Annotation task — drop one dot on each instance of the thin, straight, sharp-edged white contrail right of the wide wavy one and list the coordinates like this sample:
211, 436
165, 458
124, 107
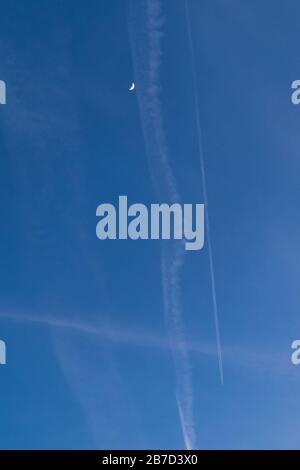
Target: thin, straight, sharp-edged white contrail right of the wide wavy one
203, 177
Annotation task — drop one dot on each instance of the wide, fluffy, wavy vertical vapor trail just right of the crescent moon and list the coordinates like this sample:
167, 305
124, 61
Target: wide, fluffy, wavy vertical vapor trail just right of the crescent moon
147, 61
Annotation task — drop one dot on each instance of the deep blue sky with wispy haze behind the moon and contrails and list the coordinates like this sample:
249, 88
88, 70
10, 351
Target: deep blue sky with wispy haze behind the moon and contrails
95, 358
